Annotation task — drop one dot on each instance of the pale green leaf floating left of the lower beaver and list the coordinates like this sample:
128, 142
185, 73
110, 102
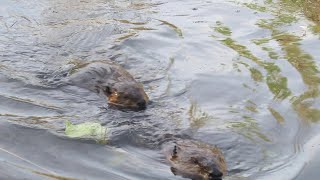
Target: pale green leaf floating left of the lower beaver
89, 130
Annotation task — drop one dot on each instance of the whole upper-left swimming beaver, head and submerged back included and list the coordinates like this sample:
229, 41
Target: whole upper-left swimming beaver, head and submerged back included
121, 89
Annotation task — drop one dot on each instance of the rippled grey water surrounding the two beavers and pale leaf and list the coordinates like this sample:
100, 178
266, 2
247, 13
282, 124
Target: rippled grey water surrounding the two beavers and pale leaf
240, 75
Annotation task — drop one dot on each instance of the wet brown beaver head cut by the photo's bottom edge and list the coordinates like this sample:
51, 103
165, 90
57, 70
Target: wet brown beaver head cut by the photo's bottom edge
195, 160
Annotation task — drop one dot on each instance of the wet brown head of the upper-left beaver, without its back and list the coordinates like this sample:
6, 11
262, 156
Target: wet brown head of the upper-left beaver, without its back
127, 95
